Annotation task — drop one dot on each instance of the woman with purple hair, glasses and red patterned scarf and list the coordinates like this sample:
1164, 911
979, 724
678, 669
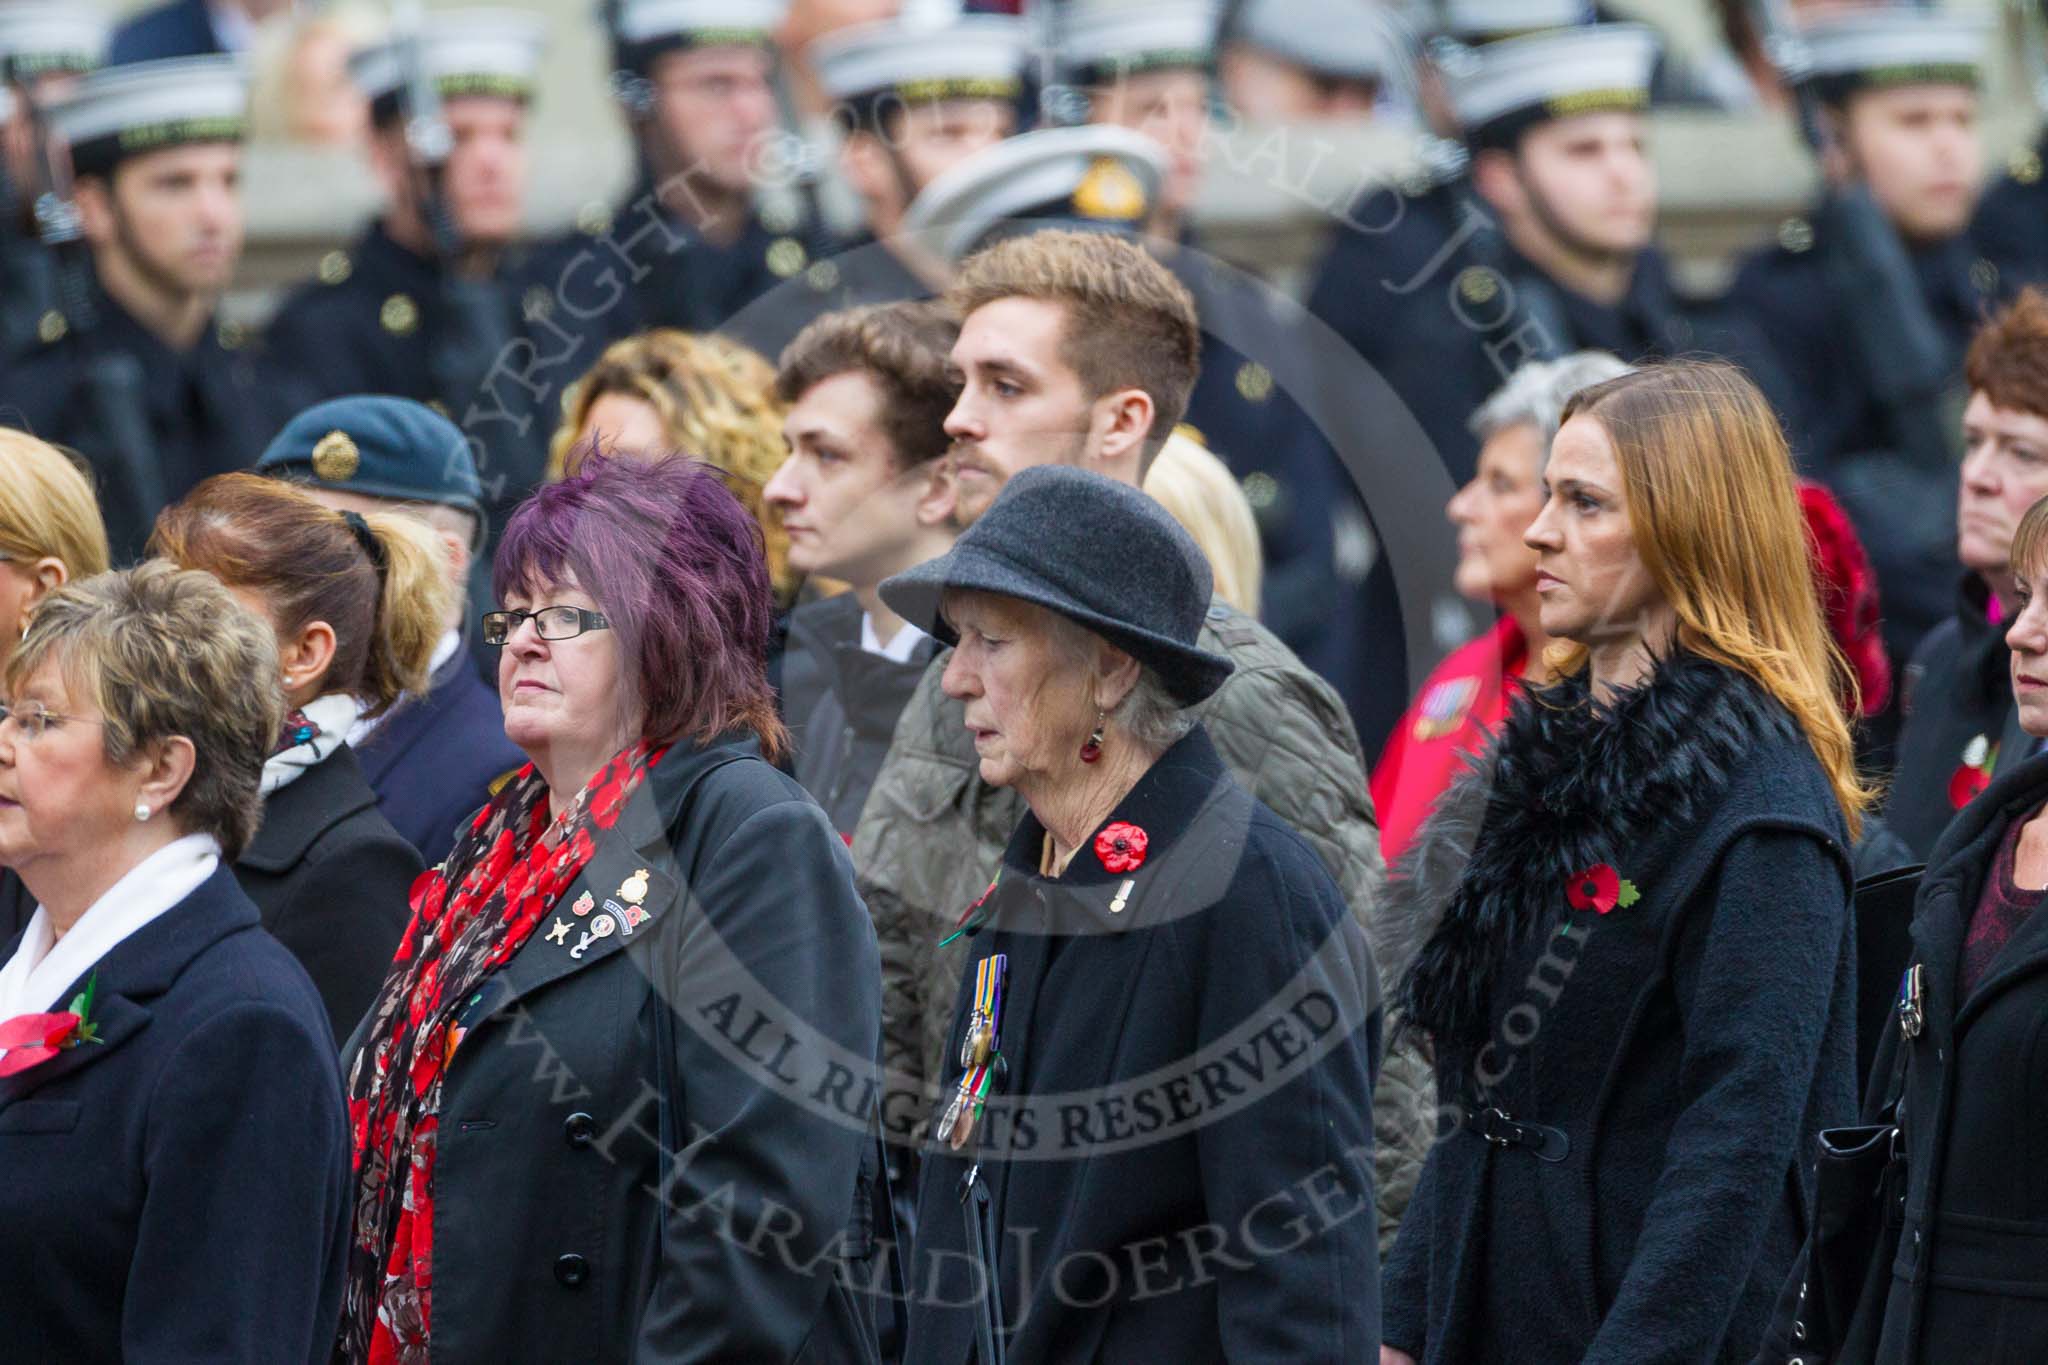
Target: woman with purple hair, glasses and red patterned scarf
615, 1096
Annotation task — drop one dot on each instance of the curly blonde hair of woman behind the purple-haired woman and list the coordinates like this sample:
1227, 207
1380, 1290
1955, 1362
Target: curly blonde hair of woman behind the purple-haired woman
673, 392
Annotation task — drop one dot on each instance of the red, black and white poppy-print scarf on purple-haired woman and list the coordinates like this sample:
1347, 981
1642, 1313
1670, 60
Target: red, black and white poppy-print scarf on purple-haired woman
468, 920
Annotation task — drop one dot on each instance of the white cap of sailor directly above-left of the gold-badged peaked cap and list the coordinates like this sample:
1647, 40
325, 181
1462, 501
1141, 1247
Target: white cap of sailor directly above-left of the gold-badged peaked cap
970, 56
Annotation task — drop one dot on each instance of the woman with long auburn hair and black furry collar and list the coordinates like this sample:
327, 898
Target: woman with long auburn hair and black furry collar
1637, 963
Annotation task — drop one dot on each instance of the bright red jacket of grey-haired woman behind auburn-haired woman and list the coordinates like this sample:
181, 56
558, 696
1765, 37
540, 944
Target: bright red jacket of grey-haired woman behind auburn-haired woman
1453, 715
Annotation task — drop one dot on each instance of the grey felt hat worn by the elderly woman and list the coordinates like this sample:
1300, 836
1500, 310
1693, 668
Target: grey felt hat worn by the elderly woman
1097, 552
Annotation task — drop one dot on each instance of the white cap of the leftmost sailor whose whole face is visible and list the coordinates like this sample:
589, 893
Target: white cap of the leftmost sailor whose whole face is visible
124, 112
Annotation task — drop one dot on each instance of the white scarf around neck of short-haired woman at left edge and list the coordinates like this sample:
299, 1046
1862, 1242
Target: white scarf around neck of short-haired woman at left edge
42, 969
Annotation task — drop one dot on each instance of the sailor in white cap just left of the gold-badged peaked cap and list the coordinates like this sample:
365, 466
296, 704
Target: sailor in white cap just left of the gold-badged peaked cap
912, 97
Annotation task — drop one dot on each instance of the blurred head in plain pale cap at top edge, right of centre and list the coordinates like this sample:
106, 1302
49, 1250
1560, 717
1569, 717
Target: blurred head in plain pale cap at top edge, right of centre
1308, 60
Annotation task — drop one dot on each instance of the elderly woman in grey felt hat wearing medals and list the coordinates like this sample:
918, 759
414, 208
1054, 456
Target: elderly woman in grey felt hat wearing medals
1156, 1133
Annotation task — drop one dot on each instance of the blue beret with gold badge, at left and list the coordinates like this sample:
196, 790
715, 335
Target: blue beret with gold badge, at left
380, 447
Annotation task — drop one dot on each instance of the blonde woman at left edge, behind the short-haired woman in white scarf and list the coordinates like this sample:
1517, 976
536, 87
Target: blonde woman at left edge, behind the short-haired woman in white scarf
50, 535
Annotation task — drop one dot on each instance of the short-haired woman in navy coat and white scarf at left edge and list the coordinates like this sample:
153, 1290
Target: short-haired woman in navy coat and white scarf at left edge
173, 1143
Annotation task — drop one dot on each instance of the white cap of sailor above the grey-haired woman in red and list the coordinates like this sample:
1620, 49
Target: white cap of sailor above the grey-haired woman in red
1506, 87
